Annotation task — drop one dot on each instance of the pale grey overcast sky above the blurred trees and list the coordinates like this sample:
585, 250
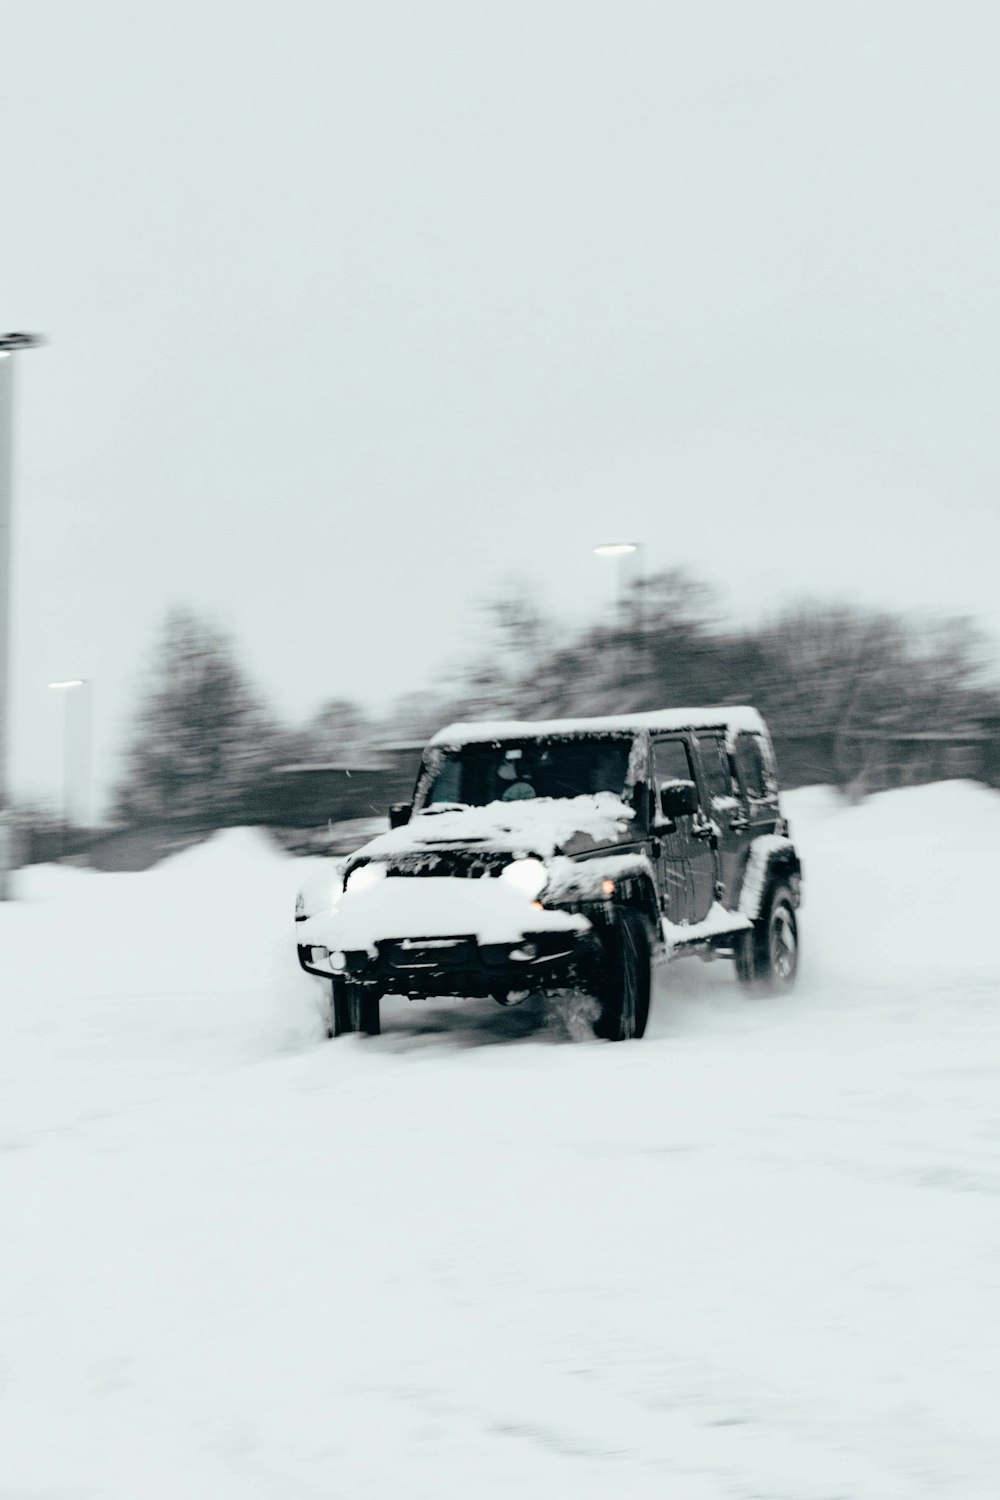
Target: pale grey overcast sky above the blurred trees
358, 310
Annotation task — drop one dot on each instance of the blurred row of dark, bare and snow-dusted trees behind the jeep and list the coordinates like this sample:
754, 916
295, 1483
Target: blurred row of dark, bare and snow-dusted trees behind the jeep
205, 745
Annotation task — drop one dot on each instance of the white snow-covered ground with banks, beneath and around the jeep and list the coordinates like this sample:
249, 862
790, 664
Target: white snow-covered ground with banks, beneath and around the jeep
756, 1255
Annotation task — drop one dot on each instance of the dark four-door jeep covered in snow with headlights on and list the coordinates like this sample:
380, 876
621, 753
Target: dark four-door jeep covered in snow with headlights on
566, 856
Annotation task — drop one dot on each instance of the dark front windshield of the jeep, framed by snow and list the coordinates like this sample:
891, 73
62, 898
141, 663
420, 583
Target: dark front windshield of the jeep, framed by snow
522, 770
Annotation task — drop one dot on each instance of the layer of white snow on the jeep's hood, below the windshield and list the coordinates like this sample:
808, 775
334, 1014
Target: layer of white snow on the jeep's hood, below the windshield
545, 826
